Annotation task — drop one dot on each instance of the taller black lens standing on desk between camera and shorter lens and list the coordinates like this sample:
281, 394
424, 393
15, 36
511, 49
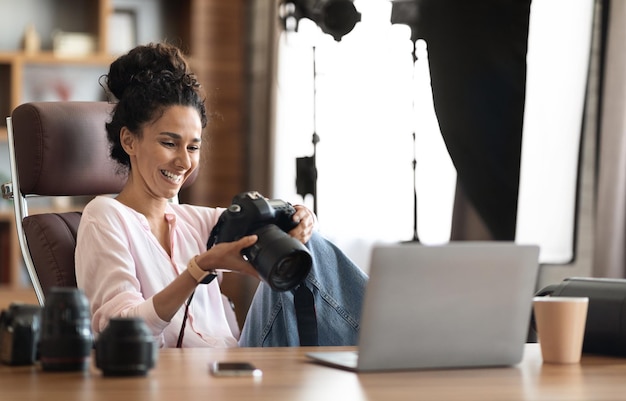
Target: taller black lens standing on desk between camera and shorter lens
66, 338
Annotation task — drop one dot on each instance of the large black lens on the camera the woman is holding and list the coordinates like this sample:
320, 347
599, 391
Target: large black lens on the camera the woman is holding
282, 261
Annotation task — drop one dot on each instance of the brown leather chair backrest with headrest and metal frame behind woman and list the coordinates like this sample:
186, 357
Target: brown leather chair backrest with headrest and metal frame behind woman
57, 149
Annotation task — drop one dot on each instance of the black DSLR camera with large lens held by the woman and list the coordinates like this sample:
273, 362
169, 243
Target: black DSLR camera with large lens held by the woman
281, 260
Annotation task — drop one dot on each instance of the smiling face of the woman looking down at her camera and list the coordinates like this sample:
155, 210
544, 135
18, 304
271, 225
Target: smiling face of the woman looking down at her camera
167, 152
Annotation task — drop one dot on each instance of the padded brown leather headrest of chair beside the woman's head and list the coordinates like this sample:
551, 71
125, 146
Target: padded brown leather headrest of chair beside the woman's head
62, 149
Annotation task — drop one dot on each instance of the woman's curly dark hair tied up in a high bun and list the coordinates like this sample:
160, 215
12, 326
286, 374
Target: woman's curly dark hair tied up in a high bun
146, 81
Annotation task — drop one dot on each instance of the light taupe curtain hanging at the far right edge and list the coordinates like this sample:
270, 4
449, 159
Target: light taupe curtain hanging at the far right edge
610, 217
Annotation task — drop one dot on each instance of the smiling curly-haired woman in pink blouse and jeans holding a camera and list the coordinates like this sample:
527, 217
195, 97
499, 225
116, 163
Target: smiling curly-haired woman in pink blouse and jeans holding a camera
140, 255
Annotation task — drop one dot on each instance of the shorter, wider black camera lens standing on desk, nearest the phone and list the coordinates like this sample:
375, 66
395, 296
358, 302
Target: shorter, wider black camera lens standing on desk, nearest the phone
126, 348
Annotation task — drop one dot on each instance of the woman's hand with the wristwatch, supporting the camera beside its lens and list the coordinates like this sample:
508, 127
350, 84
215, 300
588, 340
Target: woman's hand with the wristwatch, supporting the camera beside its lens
227, 256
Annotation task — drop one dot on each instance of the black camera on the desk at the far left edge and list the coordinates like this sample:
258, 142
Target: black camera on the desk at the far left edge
20, 328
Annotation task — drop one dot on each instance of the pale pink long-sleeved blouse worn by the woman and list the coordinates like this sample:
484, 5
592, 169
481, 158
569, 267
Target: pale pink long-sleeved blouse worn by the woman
120, 266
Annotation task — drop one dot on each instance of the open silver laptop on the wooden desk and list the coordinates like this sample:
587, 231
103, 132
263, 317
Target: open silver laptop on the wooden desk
459, 305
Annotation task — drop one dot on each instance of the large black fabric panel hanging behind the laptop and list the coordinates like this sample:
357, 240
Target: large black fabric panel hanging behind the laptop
477, 55
